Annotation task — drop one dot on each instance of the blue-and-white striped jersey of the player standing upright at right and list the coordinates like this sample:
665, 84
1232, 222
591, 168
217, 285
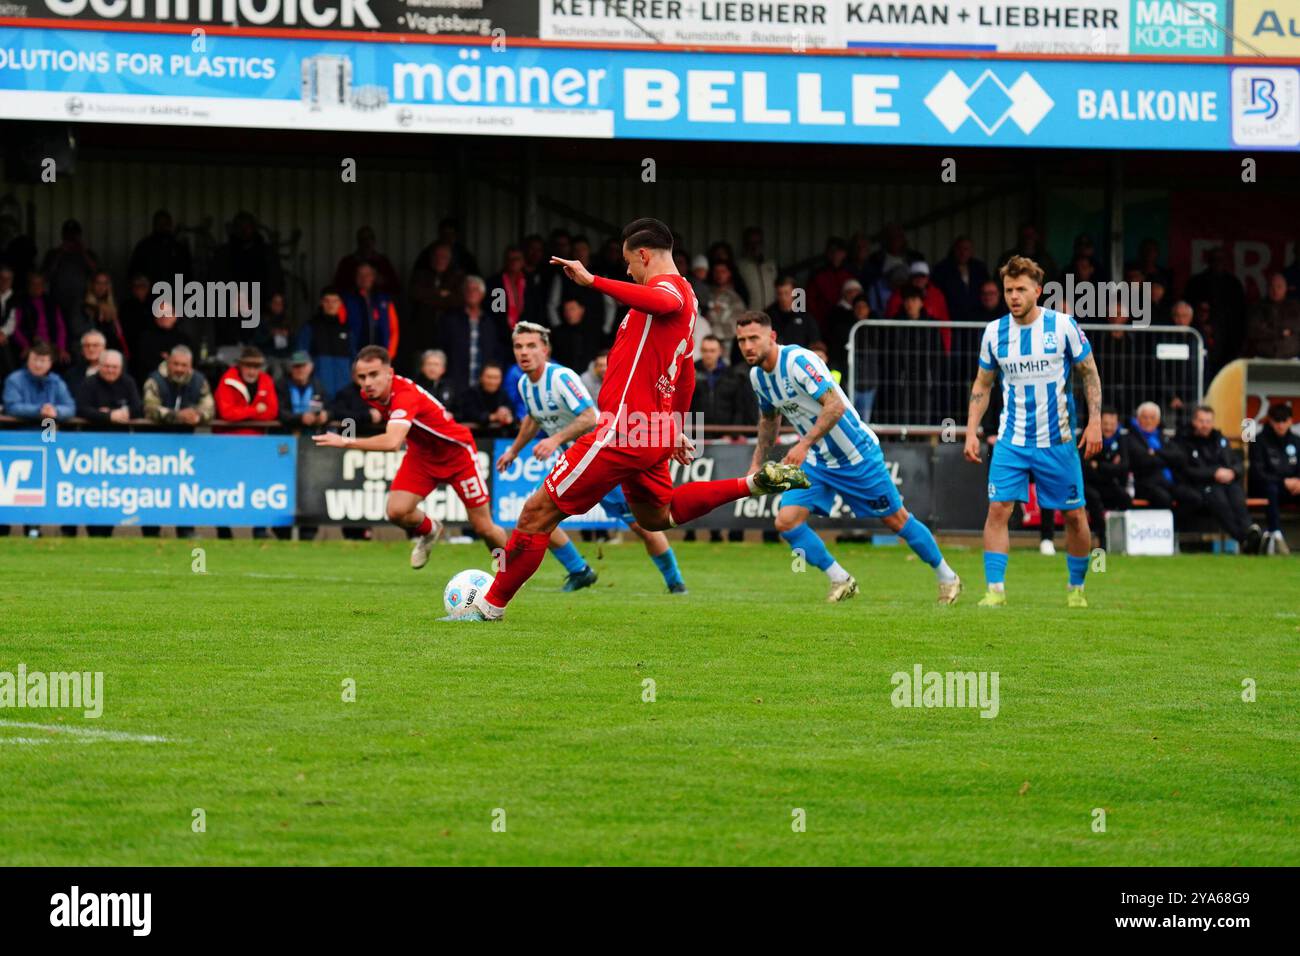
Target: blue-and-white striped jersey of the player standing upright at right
1035, 362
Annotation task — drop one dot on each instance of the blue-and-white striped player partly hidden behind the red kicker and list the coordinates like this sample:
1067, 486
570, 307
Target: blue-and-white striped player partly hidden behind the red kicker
561, 406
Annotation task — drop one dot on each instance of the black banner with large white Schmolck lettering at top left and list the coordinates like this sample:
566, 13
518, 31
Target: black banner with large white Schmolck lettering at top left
419, 18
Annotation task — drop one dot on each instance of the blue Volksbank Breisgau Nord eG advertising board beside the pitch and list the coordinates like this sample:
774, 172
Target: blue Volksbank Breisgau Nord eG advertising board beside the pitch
84, 478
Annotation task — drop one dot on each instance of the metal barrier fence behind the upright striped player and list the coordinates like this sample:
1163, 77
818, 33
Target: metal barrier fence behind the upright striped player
916, 375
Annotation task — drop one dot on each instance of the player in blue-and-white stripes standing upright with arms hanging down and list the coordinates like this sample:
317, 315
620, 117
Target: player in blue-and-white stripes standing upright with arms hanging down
1034, 349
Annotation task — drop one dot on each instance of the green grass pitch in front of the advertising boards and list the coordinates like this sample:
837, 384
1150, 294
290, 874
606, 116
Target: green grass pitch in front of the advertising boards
766, 702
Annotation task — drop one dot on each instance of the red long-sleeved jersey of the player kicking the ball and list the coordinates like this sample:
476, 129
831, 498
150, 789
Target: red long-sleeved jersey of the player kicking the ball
653, 348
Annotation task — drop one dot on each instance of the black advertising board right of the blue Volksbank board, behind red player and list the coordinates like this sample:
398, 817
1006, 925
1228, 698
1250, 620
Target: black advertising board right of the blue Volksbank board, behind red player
352, 487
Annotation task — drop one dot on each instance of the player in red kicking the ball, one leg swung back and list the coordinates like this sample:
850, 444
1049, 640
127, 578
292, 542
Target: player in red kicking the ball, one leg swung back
651, 377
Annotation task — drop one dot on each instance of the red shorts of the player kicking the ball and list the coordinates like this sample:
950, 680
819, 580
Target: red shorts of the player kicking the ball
592, 469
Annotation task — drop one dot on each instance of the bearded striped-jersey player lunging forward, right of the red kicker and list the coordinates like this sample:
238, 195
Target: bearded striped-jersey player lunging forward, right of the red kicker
837, 451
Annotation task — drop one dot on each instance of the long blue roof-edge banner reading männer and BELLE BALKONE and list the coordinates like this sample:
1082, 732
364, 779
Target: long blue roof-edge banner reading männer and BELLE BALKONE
294, 84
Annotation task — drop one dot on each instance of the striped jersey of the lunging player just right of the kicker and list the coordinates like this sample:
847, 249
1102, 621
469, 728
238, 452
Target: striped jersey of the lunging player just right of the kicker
795, 390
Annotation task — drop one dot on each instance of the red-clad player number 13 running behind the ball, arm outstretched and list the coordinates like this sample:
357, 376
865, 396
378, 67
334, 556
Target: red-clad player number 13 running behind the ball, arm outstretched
439, 451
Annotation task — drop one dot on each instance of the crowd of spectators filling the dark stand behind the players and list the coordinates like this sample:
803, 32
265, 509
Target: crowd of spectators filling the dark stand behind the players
71, 347
